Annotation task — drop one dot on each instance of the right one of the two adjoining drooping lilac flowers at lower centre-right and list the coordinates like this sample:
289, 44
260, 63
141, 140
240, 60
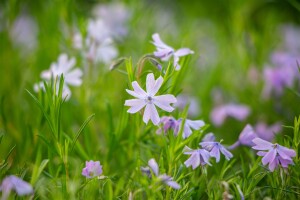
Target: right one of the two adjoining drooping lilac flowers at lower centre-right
214, 149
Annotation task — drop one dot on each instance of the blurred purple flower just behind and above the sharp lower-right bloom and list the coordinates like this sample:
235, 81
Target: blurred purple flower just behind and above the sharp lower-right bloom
266, 132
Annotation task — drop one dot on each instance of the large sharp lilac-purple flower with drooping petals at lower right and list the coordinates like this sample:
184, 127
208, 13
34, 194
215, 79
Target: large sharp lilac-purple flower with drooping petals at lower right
273, 154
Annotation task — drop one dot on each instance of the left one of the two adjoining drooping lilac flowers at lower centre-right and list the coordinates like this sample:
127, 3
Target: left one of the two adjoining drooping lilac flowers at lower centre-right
198, 157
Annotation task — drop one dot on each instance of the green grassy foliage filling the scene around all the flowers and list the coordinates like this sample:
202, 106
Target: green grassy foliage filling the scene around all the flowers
46, 140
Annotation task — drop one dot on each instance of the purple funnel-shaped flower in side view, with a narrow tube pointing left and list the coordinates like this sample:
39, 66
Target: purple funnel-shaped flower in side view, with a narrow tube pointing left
245, 138
